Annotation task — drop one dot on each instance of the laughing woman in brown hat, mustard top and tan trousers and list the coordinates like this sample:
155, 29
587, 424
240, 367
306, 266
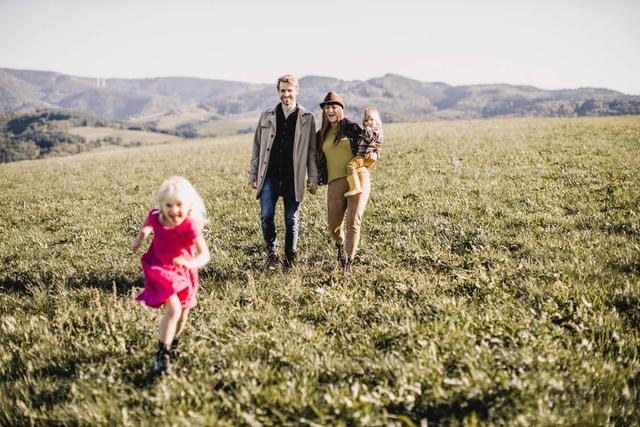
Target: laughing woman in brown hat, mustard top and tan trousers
338, 140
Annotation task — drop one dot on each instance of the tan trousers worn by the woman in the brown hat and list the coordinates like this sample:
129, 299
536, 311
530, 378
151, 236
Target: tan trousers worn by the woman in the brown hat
344, 214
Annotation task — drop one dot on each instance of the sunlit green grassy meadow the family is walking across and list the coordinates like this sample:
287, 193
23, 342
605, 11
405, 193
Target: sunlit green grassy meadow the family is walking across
497, 284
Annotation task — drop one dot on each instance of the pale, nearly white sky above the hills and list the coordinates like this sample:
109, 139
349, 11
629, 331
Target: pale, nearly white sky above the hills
550, 44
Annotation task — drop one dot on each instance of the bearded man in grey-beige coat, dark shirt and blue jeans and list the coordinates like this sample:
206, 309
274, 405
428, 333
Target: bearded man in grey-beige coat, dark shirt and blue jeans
284, 151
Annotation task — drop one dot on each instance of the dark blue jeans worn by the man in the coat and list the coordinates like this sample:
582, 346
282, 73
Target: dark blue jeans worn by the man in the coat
271, 191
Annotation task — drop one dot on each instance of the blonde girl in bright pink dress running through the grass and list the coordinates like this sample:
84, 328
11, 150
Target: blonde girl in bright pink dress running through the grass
171, 264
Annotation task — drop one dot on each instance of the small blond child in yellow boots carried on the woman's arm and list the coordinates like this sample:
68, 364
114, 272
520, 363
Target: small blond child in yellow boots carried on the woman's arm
368, 149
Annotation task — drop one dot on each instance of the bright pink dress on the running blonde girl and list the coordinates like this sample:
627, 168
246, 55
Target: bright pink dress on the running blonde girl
161, 278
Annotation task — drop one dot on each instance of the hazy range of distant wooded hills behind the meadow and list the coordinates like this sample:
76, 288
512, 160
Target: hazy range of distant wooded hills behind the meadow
175, 102
